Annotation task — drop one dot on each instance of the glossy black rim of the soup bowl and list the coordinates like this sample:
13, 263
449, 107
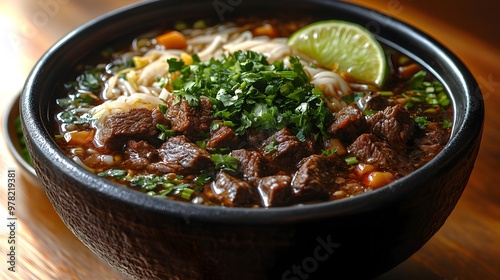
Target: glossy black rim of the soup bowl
473, 115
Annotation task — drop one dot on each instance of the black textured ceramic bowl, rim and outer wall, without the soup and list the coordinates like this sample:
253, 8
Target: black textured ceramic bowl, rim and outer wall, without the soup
147, 238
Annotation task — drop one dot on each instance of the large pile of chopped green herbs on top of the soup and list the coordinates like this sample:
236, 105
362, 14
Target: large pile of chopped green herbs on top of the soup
247, 91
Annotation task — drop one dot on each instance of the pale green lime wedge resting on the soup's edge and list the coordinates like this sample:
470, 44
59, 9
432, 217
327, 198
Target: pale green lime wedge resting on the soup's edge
344, 46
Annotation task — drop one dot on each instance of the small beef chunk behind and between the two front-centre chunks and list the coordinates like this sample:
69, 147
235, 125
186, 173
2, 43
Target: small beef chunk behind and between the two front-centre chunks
252, 164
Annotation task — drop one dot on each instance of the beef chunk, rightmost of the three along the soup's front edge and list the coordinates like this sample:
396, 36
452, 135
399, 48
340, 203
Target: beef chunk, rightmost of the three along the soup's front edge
315, 177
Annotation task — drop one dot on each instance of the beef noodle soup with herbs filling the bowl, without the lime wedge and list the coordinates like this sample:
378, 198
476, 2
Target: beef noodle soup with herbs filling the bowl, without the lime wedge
231, 115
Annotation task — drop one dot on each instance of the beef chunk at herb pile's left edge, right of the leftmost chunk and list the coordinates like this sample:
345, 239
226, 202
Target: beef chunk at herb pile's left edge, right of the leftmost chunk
190, 121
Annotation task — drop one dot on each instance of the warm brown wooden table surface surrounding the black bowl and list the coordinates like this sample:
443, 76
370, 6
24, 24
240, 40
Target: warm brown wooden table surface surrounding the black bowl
466, 247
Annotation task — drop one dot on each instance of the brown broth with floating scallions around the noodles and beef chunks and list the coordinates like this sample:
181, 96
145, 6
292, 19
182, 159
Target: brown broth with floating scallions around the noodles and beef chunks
432, 116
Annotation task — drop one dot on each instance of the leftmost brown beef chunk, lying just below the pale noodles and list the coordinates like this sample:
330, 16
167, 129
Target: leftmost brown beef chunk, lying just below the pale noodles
136, 124
